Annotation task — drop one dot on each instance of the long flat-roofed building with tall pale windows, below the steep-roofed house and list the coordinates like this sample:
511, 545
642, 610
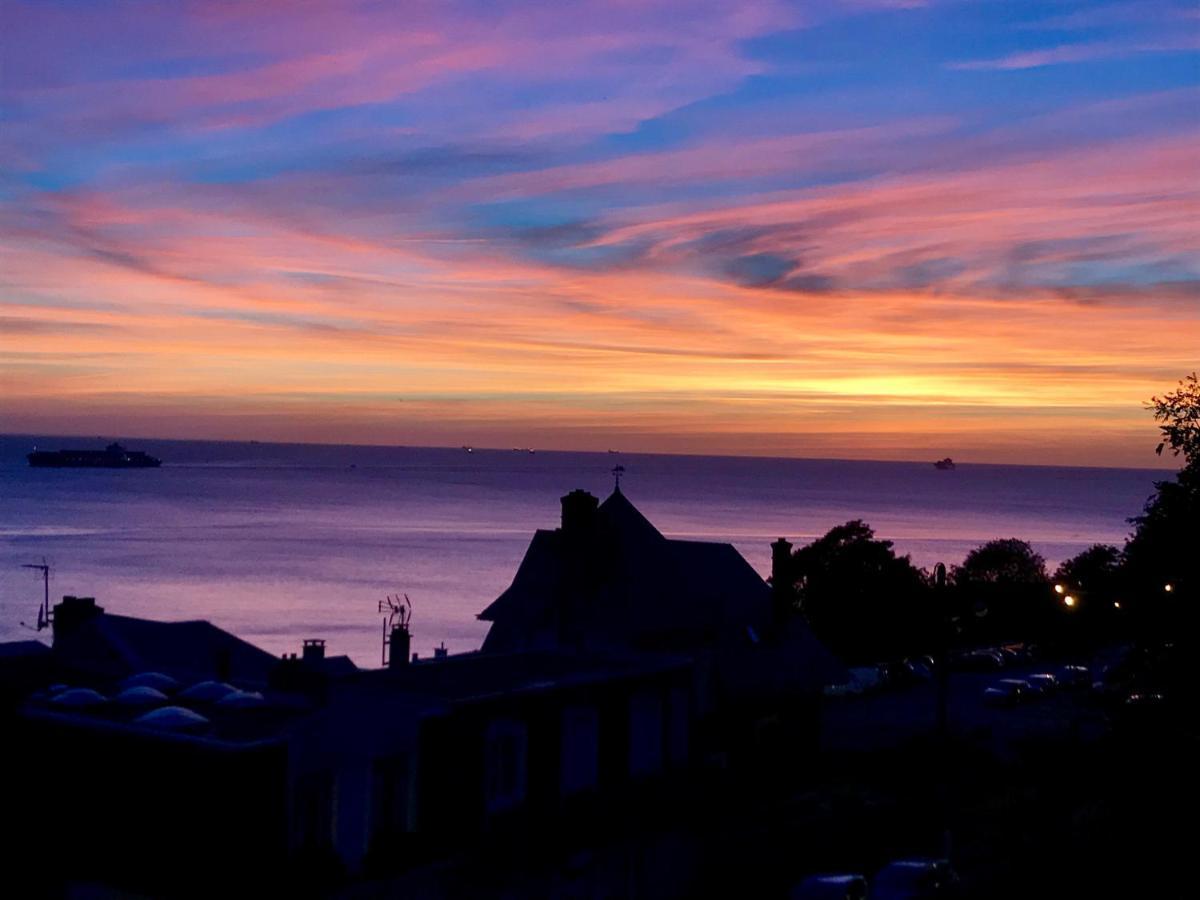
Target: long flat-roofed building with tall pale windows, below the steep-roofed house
535, 745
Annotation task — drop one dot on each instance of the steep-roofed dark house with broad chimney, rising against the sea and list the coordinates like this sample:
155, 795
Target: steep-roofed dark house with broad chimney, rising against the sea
609, 580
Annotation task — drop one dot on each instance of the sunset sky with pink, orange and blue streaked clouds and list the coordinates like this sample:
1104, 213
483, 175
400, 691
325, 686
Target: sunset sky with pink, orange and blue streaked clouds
890, 230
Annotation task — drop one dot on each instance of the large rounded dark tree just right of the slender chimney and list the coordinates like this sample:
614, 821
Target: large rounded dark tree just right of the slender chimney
863, 601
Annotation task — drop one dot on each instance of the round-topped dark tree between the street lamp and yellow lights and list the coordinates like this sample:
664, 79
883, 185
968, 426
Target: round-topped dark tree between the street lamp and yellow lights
1005, 583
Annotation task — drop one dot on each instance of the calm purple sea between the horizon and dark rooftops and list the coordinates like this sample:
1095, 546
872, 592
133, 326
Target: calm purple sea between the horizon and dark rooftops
279, 543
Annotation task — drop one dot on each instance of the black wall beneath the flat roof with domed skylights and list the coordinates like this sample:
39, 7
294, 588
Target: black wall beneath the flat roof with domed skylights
145, 813
